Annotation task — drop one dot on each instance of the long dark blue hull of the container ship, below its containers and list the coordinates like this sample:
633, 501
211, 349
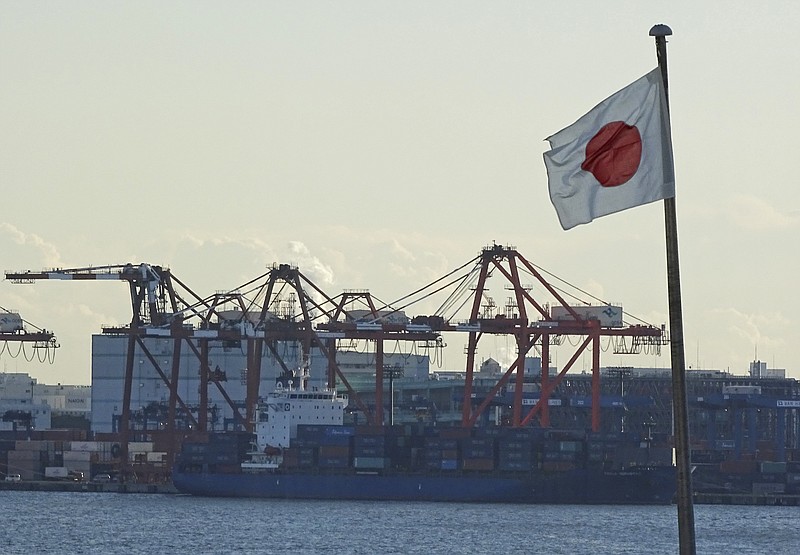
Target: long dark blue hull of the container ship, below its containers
581, 486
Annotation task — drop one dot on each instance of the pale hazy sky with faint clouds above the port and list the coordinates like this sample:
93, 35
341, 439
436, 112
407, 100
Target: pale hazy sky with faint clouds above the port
380, 145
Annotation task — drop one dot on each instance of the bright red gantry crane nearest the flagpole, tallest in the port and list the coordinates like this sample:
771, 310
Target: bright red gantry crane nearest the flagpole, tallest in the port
535, 323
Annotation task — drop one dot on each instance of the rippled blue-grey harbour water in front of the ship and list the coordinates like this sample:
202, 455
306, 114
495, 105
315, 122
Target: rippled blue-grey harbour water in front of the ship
66, 523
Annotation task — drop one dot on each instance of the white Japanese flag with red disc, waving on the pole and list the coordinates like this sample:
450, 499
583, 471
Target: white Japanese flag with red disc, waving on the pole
617, 156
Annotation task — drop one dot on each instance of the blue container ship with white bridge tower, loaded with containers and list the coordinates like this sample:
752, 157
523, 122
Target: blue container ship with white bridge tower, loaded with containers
302, 449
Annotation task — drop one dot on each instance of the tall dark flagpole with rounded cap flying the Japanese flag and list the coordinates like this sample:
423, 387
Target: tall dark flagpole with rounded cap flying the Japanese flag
679, 403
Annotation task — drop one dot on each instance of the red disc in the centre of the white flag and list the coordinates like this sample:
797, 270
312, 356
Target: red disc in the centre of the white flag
613, 154
